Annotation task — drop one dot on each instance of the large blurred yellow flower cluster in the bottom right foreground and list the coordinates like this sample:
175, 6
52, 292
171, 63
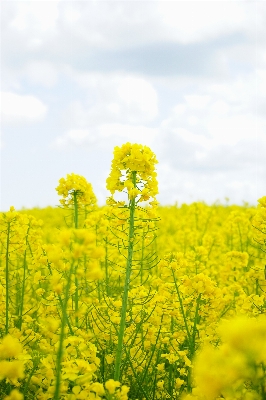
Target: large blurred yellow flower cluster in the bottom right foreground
235, 369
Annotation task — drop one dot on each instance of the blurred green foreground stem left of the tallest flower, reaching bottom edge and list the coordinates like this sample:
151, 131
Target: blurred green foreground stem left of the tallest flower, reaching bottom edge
61, 338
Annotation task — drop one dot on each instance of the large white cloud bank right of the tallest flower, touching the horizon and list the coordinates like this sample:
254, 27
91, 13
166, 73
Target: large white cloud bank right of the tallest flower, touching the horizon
215, 140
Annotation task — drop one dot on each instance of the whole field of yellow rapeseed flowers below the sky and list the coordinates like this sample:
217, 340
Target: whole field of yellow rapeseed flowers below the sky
132, 300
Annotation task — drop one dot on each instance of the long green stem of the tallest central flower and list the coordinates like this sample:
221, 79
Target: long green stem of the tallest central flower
126, 285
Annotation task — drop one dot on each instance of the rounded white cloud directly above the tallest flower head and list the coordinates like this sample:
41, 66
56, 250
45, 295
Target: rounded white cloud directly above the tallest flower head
120, 98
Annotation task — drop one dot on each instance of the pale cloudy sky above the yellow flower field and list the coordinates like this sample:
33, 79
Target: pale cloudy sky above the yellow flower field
186, 78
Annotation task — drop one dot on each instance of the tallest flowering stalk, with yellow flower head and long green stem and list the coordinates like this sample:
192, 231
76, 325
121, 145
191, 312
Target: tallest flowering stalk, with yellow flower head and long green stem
132, 172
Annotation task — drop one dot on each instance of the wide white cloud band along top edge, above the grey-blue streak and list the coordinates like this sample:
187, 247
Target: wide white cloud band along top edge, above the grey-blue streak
125, 25
